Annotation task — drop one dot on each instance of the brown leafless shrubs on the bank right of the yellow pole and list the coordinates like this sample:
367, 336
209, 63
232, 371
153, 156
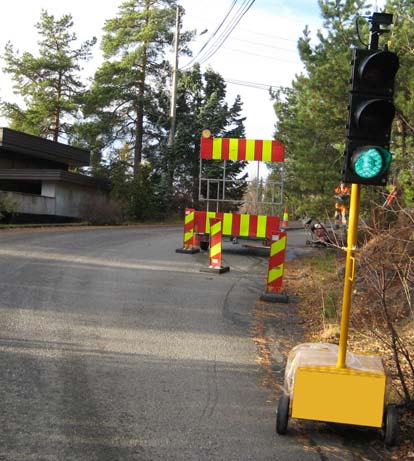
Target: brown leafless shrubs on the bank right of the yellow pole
386, 264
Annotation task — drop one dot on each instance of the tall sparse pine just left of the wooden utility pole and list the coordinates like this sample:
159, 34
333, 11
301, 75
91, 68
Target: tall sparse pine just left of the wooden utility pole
134, 44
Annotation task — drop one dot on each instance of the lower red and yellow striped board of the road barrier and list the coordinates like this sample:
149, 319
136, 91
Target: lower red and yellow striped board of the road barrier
239, 225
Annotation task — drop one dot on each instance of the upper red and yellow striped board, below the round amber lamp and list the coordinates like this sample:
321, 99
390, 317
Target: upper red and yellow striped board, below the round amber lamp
242, 149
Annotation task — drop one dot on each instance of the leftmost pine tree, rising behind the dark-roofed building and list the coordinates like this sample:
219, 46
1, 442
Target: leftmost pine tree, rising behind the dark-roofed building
49, 84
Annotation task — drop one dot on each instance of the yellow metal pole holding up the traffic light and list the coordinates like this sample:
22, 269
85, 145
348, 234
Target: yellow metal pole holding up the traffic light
349, 272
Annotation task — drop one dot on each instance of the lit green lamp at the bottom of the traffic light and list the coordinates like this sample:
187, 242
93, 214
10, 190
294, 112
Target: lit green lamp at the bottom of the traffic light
369, 162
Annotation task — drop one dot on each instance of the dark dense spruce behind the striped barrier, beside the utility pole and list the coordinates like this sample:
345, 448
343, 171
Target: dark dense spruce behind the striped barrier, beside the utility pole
201, 104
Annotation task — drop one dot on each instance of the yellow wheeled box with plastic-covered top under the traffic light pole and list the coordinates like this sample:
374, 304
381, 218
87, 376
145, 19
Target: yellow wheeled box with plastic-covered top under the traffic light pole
320, 391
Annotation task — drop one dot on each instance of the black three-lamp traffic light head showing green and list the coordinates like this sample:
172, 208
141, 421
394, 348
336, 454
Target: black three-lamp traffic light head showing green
371, 112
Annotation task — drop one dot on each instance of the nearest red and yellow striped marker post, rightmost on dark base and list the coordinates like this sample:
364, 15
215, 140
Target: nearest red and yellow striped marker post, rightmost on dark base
277, 256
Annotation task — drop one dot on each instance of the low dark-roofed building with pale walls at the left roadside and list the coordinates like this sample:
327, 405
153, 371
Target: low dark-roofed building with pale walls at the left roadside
34, 172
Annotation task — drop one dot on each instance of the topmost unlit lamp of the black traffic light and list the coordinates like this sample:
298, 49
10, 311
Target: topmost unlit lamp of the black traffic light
379, 69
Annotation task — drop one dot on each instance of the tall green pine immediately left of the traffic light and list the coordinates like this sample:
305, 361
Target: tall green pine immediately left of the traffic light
313, 113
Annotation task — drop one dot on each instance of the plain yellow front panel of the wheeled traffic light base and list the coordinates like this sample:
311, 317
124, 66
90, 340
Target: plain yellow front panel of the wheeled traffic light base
341, 395
